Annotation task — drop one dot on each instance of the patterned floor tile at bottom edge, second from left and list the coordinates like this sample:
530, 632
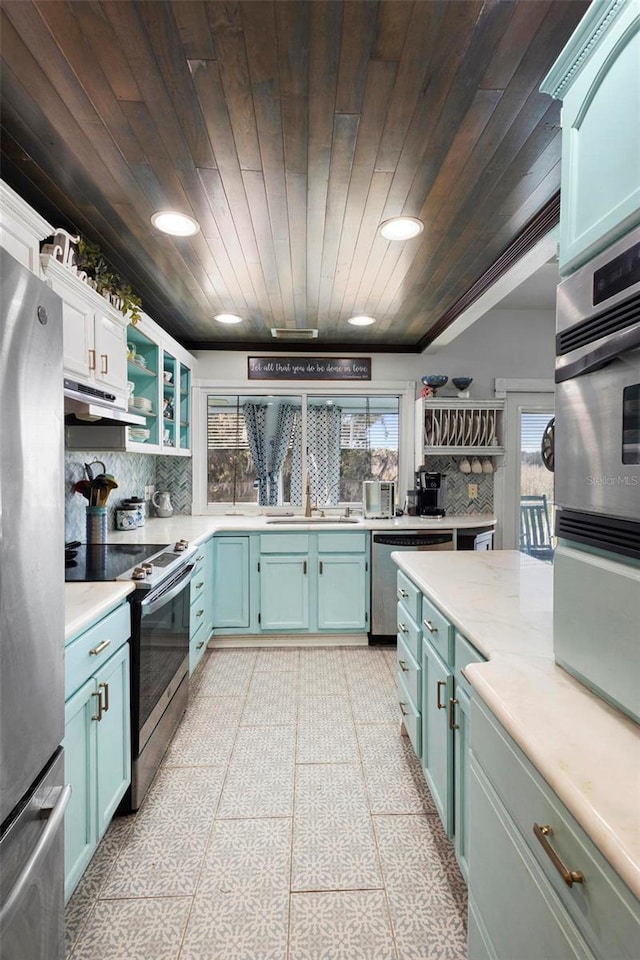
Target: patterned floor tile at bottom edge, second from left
227, 927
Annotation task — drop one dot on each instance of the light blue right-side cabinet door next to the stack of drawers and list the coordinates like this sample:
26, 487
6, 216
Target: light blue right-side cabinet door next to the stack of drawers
437, 737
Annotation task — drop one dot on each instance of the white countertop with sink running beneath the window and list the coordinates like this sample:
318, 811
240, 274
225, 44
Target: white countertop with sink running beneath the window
198, 528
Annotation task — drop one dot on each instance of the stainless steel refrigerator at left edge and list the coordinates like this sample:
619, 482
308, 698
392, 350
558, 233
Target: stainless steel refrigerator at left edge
32, 790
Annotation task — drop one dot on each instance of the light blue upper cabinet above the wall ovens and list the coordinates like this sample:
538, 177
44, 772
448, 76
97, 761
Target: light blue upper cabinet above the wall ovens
597, 77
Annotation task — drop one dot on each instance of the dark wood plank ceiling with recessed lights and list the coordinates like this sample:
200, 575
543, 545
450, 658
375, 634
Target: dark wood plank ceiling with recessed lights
289, 130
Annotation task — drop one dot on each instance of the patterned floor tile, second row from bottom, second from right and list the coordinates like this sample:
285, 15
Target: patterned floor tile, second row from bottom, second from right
334, 853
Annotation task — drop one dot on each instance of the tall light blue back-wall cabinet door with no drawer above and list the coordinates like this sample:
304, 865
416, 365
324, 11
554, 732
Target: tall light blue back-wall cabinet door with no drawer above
231, 582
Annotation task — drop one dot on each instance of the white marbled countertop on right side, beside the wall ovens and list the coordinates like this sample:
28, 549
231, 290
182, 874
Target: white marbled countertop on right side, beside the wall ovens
586, 750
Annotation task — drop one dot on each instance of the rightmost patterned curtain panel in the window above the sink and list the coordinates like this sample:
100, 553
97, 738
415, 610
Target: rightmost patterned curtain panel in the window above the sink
323, 440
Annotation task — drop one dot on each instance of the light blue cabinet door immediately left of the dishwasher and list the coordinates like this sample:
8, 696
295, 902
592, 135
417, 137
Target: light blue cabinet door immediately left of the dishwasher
342, 592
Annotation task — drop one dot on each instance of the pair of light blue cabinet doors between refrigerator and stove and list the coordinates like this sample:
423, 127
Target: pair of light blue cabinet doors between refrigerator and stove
97, 757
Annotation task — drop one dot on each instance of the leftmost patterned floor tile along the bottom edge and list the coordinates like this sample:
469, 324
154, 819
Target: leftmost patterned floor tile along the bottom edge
134, 930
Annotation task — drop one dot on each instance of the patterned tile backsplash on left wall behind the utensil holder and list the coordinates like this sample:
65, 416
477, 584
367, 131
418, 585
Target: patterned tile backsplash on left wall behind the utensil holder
133, 472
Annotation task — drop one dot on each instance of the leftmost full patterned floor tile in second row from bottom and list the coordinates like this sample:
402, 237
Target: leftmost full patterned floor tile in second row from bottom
158, 860
